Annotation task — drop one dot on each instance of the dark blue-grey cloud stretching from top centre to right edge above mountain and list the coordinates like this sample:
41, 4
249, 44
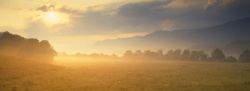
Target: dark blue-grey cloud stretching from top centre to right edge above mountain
217, 12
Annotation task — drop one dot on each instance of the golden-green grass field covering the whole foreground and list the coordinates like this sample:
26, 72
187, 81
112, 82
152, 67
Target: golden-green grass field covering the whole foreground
124, 75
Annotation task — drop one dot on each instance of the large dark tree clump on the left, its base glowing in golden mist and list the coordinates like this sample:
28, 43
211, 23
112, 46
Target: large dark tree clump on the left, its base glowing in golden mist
15, 45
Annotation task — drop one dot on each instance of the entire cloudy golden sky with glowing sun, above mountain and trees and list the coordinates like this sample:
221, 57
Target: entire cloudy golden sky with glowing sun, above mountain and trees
74, 25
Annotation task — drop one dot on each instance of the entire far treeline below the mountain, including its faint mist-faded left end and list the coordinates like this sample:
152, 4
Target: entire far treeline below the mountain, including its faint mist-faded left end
178, 54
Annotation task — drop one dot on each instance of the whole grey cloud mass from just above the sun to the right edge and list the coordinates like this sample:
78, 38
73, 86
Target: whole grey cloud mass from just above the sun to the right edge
152, 16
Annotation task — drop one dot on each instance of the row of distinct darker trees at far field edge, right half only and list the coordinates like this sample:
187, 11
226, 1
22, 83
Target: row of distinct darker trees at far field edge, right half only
178, 54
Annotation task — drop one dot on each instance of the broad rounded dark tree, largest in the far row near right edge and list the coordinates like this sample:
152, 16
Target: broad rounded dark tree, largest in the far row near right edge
218, 55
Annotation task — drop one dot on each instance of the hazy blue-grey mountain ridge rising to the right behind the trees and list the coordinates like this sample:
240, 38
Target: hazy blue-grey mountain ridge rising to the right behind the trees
202, 38
